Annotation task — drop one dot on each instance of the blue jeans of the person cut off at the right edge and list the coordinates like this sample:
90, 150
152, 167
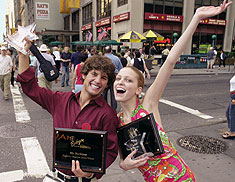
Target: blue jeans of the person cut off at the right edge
230, 114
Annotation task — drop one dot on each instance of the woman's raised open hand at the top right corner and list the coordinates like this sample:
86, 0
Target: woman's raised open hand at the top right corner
209, 11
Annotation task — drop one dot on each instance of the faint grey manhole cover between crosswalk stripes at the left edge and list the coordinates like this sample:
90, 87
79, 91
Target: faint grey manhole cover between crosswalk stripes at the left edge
16, 131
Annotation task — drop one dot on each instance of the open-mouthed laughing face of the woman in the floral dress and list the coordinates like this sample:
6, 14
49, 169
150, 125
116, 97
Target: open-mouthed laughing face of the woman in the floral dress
126, 85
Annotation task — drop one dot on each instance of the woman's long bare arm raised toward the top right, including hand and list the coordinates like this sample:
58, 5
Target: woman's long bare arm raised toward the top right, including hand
156, 89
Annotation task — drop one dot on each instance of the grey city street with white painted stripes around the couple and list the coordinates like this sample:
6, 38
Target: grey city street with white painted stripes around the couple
26, 130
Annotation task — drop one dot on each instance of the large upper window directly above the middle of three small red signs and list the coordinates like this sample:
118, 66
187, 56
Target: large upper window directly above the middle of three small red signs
103, 9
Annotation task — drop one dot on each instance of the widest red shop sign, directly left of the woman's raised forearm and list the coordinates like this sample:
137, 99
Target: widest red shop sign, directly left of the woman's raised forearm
163, 17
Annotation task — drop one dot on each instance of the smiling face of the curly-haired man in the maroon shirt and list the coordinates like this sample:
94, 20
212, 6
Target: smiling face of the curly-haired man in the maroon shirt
95, 82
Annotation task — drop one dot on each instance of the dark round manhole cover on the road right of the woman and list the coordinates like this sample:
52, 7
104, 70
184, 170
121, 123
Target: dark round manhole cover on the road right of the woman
202, 144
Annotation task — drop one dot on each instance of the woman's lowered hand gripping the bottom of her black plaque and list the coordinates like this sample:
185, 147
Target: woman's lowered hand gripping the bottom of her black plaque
129, 163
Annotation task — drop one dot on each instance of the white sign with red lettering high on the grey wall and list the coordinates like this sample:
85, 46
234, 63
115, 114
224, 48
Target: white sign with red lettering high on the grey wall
42, 11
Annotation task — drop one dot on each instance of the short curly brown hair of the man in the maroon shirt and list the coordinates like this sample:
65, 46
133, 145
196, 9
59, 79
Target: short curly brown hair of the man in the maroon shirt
100, 63
